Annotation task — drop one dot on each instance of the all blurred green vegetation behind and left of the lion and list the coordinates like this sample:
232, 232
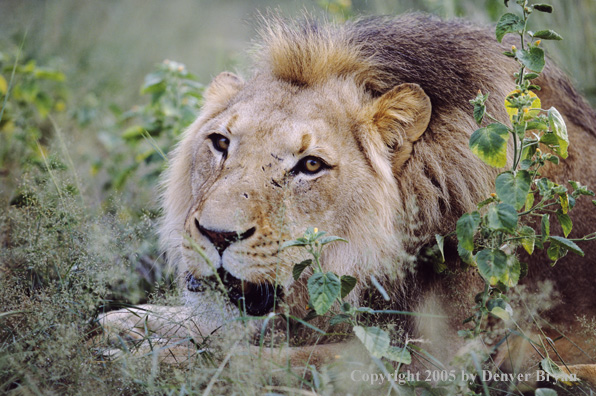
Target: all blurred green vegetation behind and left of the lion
78, 172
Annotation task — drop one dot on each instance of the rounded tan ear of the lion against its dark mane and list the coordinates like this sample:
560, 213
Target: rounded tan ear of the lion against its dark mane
401, 116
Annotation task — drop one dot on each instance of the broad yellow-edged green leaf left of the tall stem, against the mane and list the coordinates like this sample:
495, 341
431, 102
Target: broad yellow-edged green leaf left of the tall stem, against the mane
490, 144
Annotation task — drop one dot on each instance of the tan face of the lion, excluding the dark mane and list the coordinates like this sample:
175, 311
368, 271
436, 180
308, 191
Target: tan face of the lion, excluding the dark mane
267, 160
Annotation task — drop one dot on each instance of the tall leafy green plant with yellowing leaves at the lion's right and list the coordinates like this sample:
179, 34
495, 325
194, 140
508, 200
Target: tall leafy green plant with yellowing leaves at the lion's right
489, 237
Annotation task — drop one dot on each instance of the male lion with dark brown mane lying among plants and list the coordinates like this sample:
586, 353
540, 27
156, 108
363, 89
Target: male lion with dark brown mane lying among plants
362, 131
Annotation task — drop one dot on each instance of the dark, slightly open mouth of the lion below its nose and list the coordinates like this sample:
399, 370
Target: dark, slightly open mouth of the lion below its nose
254, 299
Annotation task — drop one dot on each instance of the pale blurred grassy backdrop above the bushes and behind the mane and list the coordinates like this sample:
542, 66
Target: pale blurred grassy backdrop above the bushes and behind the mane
108, 46
